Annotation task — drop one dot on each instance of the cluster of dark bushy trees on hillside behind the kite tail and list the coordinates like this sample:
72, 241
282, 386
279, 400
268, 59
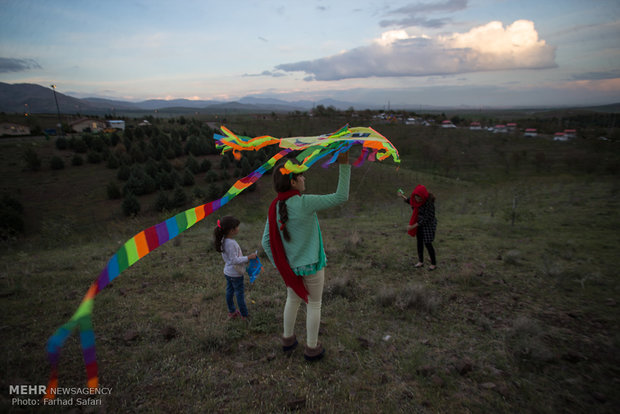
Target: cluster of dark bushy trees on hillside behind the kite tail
150, 159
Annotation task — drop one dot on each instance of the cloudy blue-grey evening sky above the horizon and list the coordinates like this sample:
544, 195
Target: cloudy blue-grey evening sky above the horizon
445, 52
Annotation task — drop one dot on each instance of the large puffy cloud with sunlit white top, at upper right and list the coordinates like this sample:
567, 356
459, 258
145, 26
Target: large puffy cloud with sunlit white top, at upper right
489, 47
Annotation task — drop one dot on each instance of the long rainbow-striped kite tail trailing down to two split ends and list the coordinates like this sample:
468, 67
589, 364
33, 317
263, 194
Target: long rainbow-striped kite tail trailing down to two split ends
133, 250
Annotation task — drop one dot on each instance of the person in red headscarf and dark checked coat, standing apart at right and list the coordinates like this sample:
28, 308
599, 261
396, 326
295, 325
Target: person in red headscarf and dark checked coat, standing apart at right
423, 223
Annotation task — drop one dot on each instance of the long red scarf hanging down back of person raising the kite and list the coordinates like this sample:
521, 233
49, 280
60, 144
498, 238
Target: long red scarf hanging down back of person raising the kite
277, 249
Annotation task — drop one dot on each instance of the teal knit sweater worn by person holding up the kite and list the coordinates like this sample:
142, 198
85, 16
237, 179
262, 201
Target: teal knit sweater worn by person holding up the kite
305, 252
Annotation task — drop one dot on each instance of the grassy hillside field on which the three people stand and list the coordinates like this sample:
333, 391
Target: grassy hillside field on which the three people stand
520, 316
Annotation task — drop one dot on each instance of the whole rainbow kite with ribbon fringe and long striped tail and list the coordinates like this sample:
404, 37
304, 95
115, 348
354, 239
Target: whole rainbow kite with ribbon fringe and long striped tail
374, 147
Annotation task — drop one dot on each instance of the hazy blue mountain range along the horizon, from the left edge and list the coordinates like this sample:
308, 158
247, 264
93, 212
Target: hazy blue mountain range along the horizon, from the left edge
32, 98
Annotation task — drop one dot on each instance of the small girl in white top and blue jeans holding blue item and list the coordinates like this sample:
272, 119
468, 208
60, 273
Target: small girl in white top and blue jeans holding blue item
223, 234
